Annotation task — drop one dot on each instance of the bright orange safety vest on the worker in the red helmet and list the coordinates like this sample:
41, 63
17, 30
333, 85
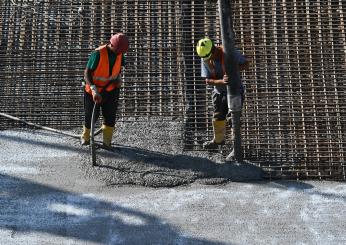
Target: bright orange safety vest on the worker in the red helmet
101, 74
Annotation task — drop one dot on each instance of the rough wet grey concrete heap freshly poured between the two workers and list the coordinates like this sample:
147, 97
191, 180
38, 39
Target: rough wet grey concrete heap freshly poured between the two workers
150, 154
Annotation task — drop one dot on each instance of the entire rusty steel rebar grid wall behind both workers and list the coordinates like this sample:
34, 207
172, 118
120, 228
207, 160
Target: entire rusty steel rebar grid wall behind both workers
294, 112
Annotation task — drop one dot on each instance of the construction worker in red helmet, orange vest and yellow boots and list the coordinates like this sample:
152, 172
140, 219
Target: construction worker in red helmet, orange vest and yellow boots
102, 77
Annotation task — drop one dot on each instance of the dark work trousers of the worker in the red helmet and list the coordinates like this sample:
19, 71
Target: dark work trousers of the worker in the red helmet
109, 106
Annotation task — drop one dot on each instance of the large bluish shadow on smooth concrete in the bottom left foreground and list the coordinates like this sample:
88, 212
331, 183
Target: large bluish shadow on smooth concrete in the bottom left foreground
28, 207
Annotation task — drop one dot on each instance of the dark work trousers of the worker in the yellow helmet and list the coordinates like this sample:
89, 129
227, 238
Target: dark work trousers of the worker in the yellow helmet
220, 106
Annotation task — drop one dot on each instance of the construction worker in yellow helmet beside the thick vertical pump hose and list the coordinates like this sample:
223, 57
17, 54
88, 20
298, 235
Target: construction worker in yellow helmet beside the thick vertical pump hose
212, 69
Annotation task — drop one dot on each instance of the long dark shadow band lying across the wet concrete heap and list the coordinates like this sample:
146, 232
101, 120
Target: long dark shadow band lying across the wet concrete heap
199, 166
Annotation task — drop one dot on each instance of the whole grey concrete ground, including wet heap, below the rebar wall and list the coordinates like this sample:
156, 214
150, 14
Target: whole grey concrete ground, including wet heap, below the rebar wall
147, 190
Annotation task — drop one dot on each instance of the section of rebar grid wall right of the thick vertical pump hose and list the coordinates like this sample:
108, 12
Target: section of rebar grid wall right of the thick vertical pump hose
295, 107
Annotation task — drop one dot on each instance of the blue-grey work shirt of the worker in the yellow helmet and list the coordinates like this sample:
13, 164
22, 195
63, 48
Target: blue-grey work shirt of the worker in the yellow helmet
207, 73
